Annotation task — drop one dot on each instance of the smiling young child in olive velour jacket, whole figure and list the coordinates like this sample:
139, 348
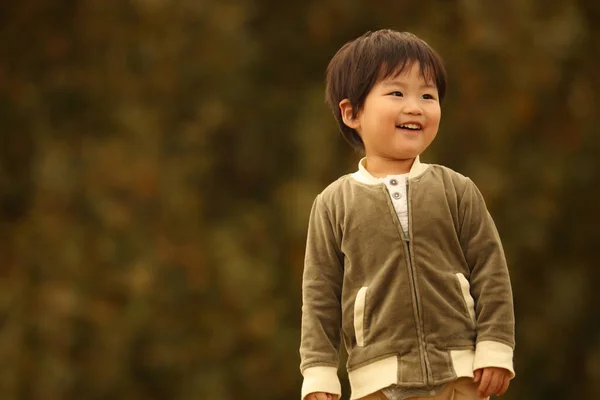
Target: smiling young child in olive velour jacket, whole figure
403, 261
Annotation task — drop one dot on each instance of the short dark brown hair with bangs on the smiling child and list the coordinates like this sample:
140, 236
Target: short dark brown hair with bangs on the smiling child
373, 57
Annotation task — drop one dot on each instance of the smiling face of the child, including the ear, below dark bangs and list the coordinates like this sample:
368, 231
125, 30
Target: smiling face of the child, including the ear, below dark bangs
400, 117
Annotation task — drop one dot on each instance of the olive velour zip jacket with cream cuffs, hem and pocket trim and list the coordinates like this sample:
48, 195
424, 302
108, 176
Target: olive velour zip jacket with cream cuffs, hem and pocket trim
414, 311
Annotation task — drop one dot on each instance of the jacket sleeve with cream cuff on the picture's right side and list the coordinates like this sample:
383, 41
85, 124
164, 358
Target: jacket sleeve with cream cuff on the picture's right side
490, 283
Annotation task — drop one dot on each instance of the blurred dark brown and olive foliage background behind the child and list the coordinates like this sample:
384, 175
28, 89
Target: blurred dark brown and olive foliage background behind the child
158, 161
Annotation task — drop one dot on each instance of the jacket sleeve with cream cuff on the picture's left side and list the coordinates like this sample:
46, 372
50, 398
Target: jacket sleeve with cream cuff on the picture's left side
321, 308
